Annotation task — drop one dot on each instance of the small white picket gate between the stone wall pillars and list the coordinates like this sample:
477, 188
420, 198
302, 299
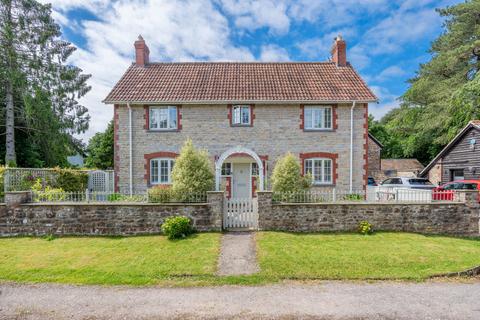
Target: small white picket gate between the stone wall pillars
240, 213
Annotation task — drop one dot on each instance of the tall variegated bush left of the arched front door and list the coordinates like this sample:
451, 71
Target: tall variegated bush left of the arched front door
192, 172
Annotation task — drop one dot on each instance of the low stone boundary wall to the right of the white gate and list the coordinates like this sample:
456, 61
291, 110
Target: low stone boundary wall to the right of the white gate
429, 218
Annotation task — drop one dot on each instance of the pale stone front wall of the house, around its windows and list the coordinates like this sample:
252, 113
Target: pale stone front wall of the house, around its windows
275, 131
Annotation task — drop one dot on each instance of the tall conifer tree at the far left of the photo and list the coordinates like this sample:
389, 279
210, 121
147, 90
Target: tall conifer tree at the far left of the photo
39, 89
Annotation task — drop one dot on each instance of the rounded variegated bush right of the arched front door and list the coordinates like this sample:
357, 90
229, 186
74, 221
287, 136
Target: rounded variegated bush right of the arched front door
287, 176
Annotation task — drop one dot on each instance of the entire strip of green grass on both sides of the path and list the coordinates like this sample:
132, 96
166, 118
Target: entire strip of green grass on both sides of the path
155, 260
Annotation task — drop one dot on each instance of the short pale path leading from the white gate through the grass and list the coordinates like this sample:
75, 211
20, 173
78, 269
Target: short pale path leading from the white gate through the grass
238, 254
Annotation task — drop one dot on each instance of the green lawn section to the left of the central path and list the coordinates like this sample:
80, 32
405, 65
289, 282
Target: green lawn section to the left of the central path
108, 260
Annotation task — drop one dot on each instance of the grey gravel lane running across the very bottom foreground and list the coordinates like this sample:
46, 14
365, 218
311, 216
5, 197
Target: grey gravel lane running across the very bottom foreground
323, 300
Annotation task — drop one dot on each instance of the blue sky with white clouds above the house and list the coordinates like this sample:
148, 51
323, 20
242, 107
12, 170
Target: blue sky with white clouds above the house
386, 39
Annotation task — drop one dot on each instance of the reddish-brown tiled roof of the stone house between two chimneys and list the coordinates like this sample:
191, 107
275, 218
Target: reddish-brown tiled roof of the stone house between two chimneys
240, 82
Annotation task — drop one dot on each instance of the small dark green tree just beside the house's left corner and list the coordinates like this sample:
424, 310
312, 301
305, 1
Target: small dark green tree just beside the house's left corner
100, 149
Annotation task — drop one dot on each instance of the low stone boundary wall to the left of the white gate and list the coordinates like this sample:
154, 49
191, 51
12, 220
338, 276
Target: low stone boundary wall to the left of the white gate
105, 219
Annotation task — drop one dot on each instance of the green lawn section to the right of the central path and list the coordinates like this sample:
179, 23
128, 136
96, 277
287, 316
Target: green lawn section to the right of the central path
352, 256
